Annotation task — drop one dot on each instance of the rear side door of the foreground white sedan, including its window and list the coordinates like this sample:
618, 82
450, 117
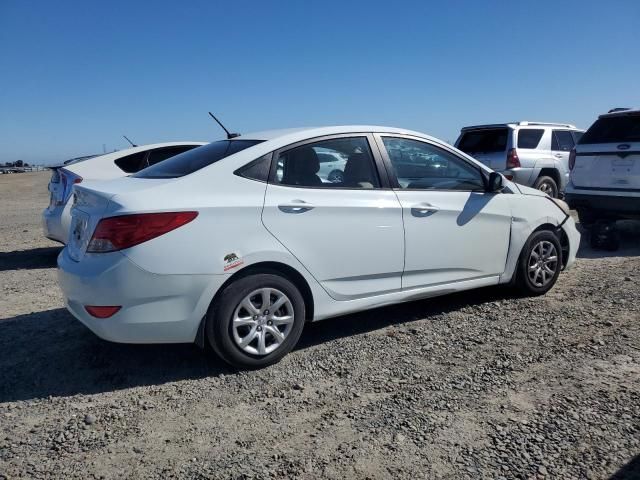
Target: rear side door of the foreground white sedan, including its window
349, 234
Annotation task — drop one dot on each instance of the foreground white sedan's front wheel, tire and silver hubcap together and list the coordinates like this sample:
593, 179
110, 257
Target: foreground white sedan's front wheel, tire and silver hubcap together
538, 282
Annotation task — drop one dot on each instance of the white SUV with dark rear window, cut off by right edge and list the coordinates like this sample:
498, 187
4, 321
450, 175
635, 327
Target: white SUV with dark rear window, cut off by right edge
605, 169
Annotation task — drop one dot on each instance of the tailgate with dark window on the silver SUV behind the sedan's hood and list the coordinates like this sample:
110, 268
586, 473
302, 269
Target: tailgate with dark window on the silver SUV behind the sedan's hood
487, 145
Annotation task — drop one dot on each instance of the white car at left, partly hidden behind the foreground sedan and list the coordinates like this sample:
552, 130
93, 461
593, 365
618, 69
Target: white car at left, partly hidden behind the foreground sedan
56, 217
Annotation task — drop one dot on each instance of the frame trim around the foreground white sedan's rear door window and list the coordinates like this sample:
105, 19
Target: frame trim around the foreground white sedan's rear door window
379, 166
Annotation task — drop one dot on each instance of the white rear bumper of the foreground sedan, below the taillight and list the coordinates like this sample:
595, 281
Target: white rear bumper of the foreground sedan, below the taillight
154, 308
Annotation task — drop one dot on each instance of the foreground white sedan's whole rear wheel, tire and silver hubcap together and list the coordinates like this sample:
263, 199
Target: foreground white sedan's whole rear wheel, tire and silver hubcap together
231, 321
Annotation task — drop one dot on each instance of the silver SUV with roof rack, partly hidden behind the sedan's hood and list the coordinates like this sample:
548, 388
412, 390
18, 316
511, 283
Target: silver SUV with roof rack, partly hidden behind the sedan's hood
534, 154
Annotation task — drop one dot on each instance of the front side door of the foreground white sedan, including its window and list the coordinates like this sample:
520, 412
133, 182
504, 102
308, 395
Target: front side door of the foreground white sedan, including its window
454, 229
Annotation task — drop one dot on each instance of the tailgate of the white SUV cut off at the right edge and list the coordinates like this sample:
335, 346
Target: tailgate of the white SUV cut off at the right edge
608, 155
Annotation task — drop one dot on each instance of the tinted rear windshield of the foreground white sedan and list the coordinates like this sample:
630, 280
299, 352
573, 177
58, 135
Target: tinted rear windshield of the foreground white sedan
193, 160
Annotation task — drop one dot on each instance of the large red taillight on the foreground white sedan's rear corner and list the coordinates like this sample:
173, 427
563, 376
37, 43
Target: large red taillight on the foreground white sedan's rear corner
117, 233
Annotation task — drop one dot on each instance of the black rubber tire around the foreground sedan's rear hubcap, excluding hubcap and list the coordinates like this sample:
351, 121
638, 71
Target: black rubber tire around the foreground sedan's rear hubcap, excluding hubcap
219, 317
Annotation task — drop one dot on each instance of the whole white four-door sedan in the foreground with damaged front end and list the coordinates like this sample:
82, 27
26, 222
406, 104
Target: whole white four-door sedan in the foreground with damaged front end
239, 243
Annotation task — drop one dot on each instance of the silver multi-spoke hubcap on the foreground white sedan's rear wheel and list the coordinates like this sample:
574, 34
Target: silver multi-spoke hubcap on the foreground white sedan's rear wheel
262, 321
